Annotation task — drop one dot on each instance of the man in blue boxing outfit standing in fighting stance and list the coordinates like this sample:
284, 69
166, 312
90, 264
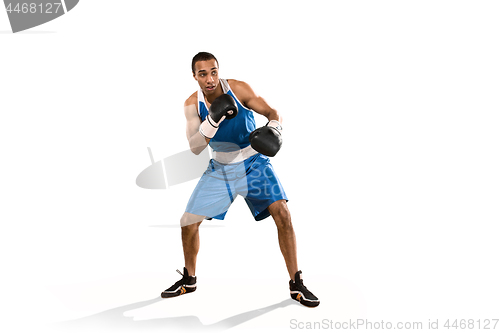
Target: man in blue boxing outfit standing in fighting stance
220, 113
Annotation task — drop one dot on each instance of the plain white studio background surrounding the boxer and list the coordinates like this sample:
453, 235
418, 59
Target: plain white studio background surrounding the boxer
390, 161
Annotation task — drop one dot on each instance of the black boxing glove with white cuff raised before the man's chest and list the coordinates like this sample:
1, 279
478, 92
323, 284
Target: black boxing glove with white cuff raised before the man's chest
223, 107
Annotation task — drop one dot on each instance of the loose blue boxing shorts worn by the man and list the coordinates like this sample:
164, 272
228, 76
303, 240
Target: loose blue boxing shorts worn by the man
254, 179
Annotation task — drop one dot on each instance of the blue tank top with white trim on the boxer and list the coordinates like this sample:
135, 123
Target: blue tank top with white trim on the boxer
232, 133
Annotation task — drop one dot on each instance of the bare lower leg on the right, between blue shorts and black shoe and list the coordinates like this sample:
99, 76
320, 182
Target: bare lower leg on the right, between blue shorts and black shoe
286, 235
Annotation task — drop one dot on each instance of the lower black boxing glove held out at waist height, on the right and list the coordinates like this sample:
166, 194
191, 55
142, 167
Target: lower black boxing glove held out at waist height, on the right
267, 139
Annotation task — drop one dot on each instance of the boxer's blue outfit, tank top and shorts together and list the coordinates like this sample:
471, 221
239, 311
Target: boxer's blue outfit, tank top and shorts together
229, 175
